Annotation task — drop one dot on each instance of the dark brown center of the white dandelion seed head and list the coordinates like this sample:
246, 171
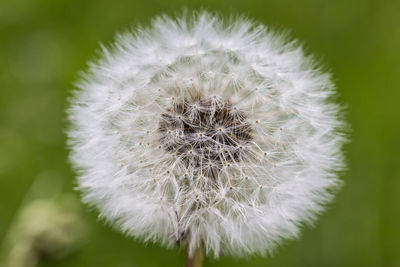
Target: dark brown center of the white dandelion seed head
205, 131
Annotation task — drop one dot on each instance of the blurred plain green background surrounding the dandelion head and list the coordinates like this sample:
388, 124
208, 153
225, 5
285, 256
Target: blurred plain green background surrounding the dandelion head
45, 43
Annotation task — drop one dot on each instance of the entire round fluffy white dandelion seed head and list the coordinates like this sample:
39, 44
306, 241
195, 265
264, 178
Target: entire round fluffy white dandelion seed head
216, 134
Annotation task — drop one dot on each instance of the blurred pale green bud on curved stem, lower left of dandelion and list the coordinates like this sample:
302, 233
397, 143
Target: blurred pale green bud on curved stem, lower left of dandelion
44, 229
